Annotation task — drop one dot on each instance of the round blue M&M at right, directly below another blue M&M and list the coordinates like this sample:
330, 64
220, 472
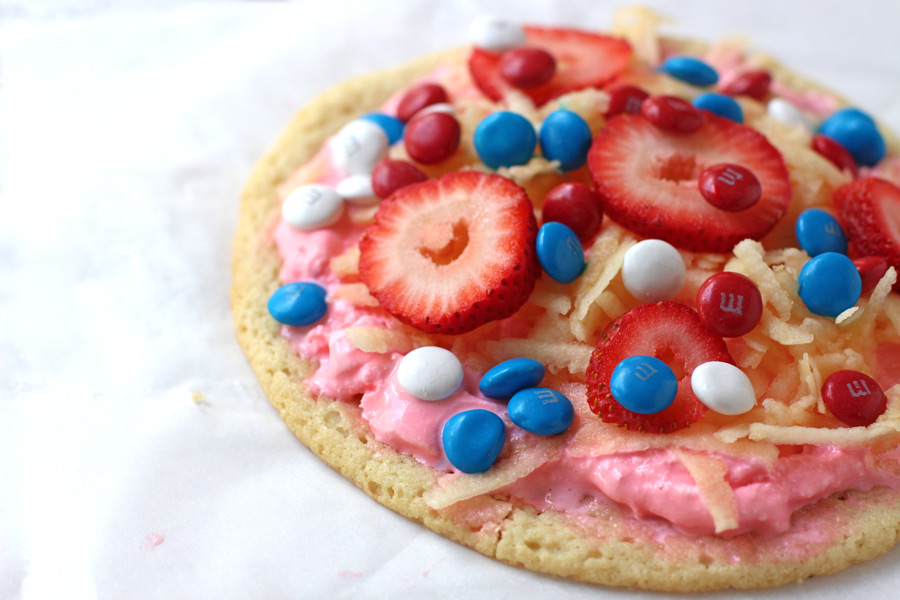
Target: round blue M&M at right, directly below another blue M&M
829, 284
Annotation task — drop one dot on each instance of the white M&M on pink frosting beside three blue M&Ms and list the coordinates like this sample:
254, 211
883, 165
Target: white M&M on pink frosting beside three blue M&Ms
430, 373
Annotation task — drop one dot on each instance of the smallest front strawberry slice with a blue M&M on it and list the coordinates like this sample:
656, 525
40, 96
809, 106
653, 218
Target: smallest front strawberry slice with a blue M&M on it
673, 333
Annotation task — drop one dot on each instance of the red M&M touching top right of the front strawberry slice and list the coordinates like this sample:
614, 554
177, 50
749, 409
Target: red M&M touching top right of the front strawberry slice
729, 304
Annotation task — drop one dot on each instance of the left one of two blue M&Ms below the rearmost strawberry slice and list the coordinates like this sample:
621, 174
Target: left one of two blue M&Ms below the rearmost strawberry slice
505, 139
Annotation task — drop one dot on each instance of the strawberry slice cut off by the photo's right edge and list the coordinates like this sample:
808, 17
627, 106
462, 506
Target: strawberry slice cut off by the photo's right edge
869, 210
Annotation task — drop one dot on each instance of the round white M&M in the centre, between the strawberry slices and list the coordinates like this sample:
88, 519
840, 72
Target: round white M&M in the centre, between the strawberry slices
653, 271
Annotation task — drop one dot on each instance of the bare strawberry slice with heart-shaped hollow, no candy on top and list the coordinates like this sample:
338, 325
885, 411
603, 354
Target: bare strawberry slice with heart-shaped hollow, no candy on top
451, 254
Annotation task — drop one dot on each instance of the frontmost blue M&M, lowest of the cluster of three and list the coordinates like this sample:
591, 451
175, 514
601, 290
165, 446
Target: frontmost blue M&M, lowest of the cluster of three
473, 439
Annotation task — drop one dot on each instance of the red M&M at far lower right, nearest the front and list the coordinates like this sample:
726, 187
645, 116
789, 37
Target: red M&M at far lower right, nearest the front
853, 397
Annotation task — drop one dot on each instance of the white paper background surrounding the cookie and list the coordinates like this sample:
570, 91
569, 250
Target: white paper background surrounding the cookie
127, 129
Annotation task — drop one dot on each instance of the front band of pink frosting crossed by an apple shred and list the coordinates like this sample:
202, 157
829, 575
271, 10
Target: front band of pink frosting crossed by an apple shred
655, 483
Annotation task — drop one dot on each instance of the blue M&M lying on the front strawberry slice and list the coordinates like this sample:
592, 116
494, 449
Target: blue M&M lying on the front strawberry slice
643, 384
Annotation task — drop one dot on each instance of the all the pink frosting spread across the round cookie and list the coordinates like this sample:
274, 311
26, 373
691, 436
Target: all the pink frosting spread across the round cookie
652, 483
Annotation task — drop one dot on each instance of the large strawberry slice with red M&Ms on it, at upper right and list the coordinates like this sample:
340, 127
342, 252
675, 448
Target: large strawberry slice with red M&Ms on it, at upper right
647, 178
